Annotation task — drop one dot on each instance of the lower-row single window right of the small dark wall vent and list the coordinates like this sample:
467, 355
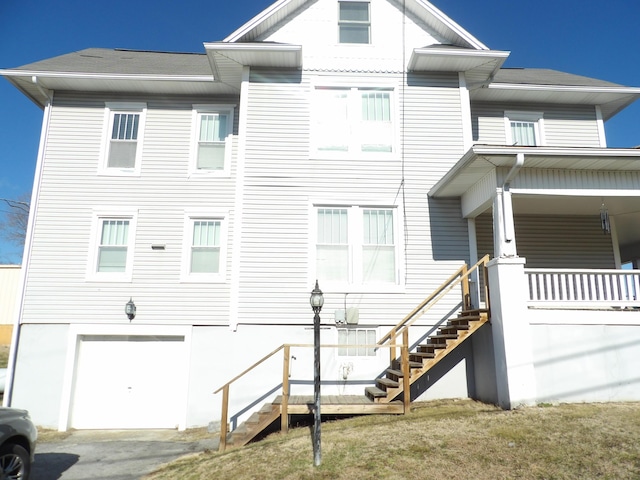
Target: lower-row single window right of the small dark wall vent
204, 248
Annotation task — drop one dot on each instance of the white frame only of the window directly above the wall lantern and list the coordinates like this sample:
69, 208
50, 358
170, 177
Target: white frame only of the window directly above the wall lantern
99, 216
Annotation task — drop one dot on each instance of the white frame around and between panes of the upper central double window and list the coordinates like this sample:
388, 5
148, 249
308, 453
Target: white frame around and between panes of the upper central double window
355, 127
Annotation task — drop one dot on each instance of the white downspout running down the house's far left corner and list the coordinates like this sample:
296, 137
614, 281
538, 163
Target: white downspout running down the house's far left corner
26, 255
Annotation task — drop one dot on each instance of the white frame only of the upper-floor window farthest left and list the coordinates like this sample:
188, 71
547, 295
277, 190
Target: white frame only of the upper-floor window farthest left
111, 109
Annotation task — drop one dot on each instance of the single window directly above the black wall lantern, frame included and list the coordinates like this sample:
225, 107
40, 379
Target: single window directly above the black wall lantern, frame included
112, 257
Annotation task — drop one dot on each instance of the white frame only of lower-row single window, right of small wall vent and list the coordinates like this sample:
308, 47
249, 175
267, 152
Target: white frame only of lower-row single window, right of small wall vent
192, 216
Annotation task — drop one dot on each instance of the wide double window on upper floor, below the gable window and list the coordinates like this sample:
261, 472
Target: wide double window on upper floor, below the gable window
354, 120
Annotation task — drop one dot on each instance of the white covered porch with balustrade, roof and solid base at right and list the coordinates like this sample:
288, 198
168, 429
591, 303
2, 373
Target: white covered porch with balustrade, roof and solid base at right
563, 228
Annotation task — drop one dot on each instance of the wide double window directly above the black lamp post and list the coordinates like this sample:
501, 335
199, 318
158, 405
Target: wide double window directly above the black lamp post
356, 246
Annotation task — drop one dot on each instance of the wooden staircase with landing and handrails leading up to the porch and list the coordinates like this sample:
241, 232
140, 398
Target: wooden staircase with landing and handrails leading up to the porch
392, 391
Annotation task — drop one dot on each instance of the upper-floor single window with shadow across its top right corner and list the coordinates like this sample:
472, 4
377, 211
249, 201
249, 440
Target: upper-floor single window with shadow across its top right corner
211, 138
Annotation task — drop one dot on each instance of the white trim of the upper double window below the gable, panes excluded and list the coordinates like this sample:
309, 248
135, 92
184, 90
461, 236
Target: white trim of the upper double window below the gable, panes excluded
354, 148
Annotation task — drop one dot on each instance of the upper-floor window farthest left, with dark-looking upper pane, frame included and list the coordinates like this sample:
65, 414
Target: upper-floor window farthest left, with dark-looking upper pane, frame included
123, 142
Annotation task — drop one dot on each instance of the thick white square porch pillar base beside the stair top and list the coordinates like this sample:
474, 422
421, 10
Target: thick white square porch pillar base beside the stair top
512, 343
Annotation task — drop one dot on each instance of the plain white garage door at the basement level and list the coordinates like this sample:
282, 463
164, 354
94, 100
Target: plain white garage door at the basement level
128, 381
